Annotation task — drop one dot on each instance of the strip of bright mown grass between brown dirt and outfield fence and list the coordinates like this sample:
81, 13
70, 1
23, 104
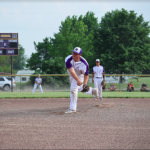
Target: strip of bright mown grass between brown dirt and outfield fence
114, 94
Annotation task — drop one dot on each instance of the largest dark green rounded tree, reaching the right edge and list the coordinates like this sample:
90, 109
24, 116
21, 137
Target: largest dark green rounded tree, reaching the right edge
123, 42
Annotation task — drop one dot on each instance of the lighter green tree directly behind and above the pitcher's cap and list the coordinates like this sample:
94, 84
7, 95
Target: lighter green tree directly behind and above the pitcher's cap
72, 33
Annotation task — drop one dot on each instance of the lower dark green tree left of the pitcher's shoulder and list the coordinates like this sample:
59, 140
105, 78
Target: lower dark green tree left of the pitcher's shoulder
46, 58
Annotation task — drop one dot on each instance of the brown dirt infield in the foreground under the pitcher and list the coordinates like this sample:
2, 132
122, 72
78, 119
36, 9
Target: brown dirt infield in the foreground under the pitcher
42, 124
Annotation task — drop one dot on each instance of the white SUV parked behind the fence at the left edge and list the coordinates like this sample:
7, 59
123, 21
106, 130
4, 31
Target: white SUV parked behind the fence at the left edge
5, 83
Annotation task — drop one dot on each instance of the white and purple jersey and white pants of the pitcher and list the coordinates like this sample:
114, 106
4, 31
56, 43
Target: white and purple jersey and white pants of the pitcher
81, 67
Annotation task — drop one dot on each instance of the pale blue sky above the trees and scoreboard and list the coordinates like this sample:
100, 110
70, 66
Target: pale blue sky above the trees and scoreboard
35, 20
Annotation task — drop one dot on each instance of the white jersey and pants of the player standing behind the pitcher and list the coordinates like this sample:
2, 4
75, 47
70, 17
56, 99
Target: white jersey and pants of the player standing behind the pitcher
98, 78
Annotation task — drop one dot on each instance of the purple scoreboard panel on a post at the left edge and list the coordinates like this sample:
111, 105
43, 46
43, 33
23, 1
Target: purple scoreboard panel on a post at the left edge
9, 44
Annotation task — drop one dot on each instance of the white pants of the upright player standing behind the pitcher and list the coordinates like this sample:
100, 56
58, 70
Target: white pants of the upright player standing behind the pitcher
97, 84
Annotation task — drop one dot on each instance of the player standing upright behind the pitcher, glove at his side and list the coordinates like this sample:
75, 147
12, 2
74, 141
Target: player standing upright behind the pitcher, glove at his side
98, 75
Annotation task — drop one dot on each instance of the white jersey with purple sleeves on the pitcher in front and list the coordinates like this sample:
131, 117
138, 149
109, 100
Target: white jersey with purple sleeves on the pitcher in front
80, 67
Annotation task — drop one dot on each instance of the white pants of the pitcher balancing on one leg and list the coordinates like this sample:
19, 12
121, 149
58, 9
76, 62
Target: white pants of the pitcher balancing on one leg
74, 88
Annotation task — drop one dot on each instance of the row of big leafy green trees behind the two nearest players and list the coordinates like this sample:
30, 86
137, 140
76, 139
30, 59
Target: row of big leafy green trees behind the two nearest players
121, 42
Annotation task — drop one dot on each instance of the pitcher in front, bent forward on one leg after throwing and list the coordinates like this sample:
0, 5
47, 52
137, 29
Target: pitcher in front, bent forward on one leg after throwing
78, 70
